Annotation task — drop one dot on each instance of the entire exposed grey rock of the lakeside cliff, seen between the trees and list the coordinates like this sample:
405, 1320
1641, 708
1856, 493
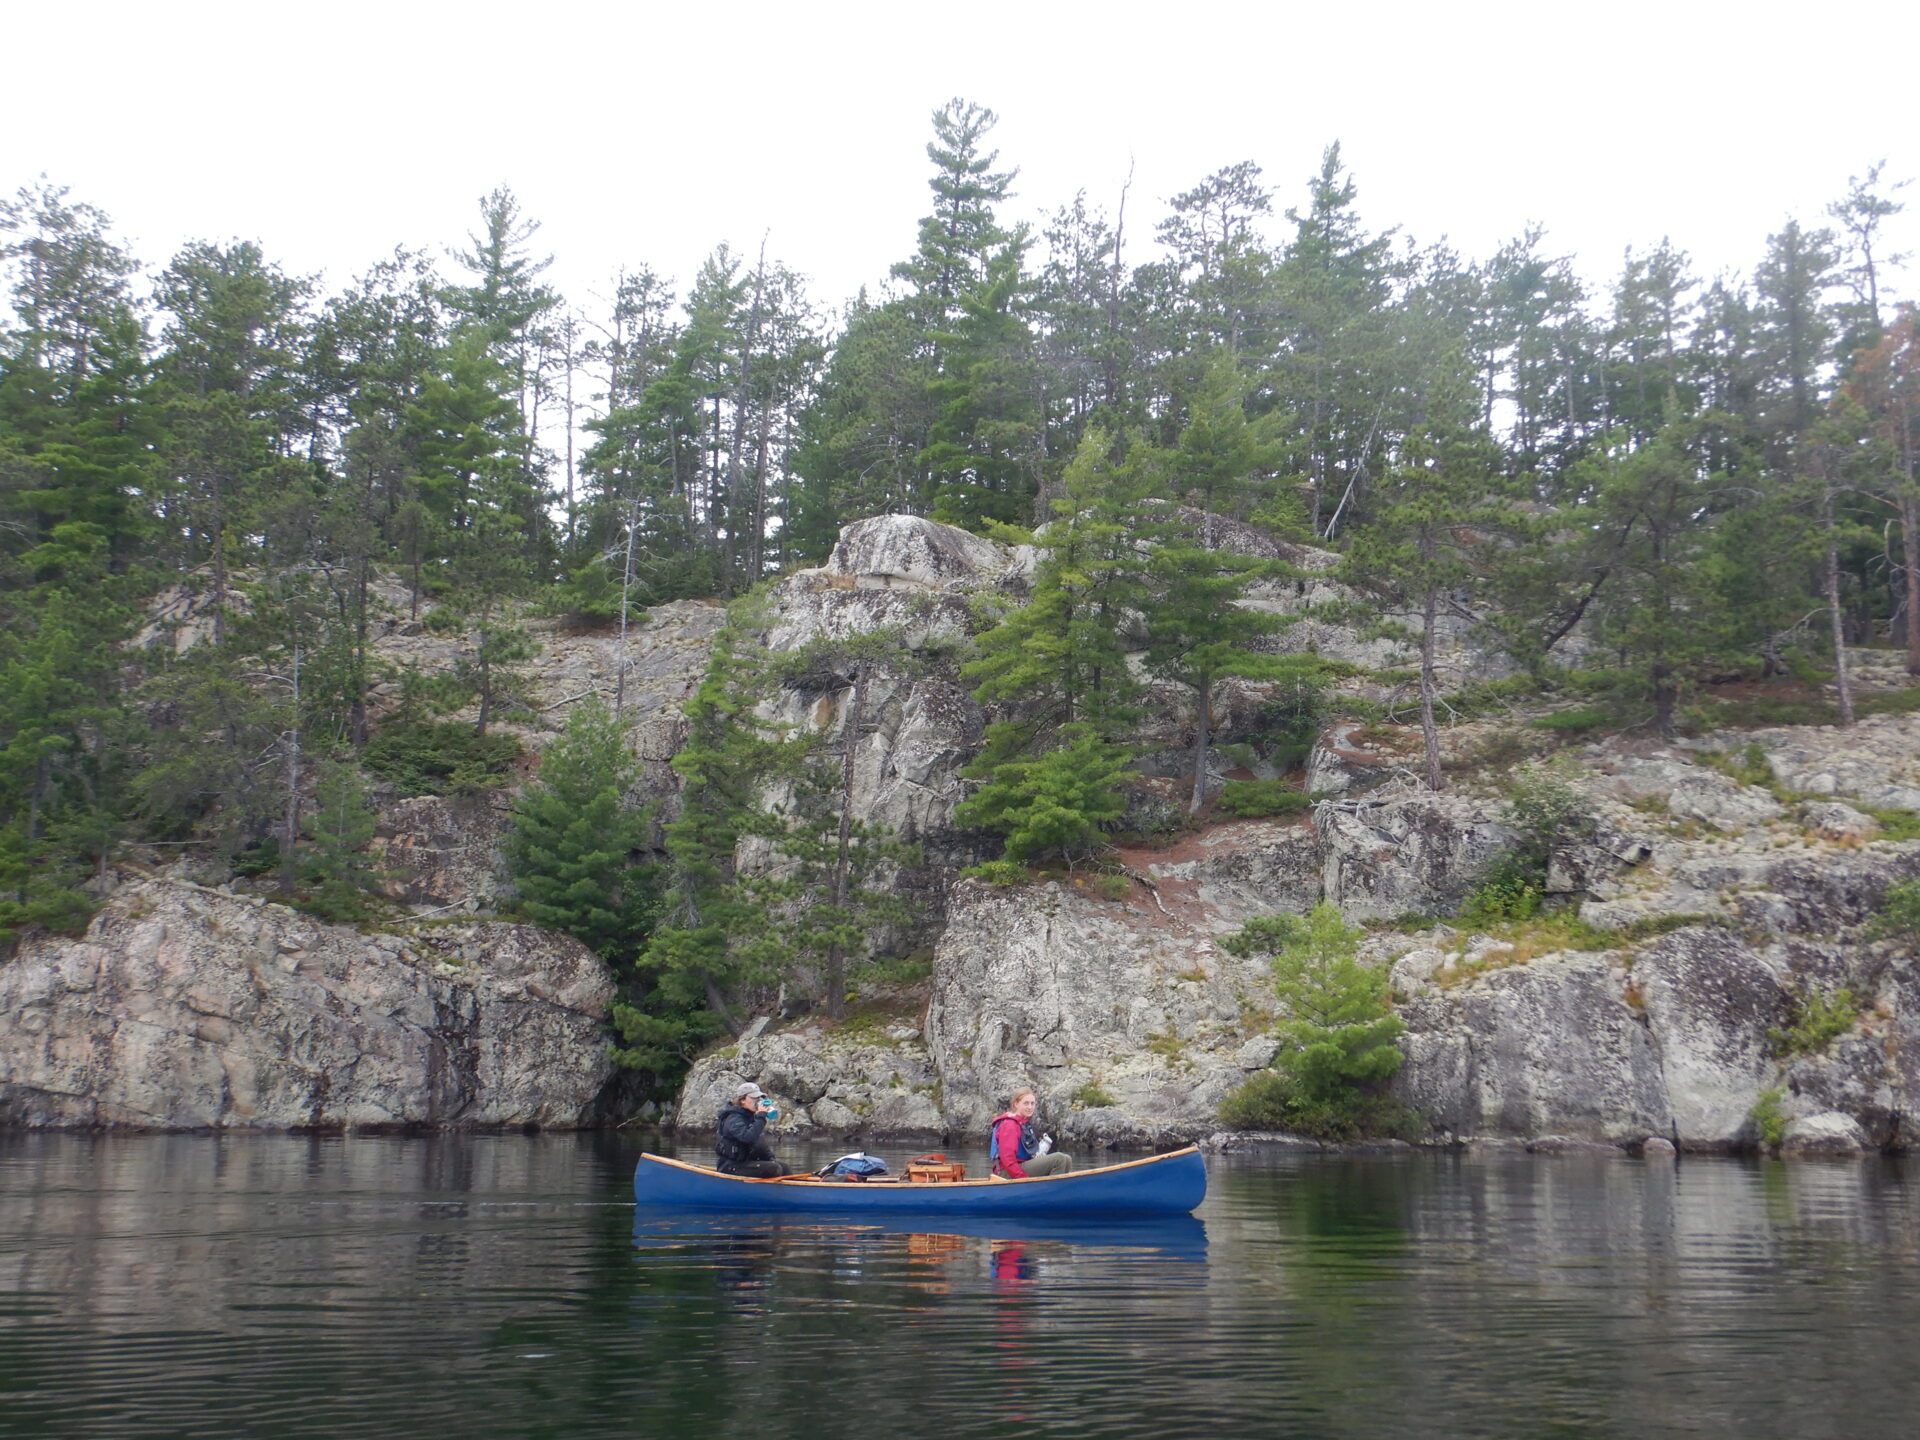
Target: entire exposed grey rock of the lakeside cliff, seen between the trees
1712, 913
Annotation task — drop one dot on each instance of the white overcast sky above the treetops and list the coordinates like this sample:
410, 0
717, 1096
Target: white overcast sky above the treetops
646, 135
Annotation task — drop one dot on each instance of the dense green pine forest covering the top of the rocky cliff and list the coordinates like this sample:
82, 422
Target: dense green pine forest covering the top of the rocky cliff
1681, 469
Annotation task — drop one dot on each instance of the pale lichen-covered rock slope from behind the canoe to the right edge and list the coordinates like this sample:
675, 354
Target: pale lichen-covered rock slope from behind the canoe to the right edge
1746, 901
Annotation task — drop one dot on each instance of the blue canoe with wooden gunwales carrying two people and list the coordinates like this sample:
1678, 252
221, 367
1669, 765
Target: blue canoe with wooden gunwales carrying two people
1161, 1186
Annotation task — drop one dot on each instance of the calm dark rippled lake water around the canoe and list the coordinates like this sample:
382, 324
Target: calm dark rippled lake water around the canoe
502, 1287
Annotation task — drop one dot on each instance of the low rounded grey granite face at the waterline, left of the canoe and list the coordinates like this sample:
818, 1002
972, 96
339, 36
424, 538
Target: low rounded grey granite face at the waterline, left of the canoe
189, 1009
